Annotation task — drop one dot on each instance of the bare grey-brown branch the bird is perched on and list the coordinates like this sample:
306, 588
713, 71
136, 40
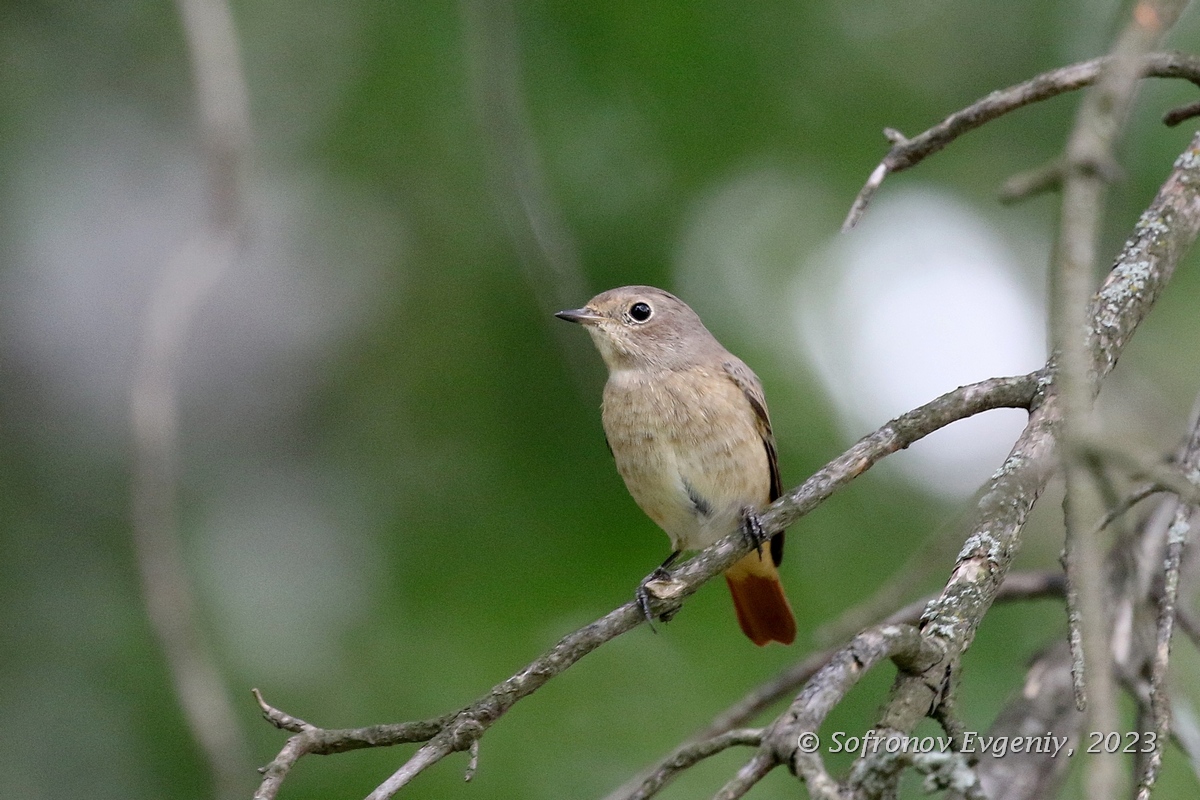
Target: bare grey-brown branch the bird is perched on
459, 731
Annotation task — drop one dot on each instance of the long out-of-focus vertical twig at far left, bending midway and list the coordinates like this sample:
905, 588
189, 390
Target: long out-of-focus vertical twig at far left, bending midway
184, 284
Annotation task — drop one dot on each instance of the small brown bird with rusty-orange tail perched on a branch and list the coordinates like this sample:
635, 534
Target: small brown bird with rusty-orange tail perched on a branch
687, 424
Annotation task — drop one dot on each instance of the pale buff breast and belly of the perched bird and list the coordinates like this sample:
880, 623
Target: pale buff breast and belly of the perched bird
688, 447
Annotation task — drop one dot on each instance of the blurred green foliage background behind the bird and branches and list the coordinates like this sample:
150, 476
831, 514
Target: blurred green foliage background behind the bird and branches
395, 490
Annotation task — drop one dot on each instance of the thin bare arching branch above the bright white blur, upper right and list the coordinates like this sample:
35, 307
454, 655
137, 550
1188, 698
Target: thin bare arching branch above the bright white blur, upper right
908, 153
